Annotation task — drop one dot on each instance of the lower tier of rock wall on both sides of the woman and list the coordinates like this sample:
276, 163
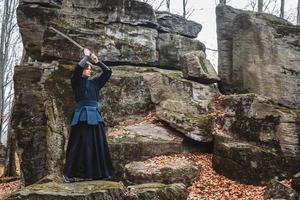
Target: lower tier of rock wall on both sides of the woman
41, 115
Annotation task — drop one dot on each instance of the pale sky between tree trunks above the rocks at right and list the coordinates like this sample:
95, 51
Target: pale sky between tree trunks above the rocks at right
205, 14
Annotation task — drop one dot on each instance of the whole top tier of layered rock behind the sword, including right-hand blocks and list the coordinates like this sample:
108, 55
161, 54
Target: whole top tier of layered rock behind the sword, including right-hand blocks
119, 31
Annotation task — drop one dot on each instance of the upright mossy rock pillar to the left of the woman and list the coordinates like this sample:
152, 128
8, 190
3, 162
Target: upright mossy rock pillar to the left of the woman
39, 134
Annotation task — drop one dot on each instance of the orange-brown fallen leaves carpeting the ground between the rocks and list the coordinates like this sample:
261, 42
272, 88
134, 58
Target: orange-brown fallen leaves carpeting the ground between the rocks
208, 185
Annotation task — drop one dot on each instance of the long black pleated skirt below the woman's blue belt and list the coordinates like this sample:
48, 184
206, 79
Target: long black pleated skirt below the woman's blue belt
87, 154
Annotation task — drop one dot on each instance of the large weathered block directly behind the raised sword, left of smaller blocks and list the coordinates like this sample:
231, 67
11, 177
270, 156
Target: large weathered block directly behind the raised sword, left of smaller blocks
129, 30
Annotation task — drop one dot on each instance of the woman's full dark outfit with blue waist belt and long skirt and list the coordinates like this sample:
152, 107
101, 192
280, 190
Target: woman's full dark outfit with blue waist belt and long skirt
87, 154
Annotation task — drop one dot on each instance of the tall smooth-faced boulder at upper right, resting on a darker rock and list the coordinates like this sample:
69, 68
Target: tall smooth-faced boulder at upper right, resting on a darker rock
258, 54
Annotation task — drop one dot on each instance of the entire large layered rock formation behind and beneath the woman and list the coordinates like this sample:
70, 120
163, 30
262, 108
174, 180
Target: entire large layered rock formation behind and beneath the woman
130, 37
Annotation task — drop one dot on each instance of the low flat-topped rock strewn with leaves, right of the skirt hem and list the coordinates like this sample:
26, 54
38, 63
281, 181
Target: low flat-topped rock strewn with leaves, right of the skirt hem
173, 170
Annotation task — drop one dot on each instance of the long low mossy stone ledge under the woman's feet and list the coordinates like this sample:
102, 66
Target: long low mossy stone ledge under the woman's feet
52, 187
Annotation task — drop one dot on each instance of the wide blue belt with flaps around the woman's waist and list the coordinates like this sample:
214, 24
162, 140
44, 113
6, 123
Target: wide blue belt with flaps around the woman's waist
86, 110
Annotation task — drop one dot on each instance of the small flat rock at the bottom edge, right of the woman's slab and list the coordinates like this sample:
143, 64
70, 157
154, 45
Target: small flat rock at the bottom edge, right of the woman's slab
147, 191
